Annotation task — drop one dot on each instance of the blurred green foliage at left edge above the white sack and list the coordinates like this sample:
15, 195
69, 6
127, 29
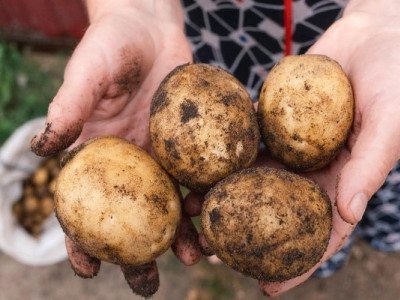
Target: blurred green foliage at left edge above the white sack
25, 89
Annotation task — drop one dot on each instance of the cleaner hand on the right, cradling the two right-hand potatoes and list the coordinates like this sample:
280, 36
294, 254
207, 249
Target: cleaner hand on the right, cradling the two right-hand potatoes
365, 42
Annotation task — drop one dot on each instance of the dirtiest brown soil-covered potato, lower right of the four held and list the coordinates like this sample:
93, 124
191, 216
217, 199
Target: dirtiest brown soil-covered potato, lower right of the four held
268, 224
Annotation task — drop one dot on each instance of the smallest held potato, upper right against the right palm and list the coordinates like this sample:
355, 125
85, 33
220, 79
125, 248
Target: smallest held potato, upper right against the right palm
305, 111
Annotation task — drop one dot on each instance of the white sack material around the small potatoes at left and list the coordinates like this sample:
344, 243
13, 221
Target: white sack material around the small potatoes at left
17, 162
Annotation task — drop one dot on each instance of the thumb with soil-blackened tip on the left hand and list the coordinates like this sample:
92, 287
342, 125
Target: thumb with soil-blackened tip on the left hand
72, 105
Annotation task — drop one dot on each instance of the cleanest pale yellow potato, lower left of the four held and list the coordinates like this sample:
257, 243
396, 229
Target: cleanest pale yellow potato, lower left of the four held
116, 203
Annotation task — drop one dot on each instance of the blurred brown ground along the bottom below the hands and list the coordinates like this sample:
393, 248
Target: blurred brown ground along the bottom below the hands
368, 275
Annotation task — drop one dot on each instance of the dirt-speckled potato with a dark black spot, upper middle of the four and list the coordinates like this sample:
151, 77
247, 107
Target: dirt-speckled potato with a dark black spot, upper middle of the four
203, 125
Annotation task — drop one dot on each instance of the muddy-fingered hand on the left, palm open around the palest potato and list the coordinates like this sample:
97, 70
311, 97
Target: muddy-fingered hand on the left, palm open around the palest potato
108, 86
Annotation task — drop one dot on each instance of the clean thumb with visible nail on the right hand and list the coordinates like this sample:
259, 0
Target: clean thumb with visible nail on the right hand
374, 151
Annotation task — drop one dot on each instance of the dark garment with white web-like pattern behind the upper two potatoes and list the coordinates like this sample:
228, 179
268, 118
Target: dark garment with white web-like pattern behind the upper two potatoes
247, 37
